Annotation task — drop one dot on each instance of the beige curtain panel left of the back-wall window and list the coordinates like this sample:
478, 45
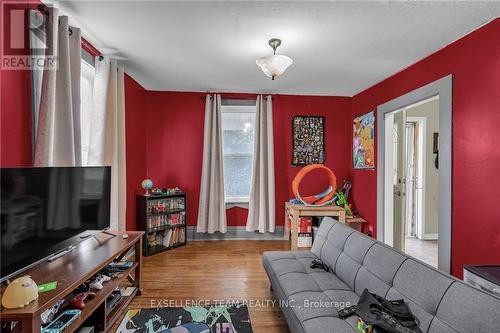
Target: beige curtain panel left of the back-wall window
212, 210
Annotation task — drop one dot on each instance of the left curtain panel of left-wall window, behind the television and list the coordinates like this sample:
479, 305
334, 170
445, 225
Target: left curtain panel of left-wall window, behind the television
58, 130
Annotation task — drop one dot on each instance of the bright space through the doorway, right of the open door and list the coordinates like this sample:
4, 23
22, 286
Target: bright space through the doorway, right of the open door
422, 179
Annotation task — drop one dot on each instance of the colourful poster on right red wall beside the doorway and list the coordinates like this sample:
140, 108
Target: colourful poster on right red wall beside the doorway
363, 141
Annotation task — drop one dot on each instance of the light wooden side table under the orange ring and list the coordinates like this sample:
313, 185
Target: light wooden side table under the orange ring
297, 211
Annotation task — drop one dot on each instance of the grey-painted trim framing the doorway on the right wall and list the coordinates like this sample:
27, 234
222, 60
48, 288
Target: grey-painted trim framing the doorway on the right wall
442, 88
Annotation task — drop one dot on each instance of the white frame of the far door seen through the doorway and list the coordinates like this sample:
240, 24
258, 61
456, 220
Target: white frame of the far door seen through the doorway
421, 153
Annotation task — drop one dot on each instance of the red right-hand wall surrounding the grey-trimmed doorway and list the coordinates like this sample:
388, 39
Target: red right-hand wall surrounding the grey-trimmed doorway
474, 62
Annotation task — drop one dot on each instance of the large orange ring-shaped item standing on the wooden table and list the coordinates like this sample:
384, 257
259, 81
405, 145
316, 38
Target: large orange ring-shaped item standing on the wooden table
320, 199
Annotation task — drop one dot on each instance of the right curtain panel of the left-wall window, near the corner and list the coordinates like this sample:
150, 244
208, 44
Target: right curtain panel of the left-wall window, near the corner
107, 133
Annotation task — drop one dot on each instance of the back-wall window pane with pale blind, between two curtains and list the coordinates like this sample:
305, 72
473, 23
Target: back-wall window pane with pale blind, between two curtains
238, 124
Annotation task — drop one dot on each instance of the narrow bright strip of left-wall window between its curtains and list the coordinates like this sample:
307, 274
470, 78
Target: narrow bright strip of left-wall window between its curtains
86, 91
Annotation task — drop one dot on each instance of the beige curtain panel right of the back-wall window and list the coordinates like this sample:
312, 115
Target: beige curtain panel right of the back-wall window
261, 208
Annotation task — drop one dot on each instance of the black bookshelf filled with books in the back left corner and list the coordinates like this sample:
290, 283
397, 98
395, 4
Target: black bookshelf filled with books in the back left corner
163, 220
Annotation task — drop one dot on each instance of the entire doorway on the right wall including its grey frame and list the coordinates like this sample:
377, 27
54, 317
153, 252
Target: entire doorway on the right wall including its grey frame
414, 177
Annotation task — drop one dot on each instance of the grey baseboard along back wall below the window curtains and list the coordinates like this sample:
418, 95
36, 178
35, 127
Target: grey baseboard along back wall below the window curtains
234, 233
